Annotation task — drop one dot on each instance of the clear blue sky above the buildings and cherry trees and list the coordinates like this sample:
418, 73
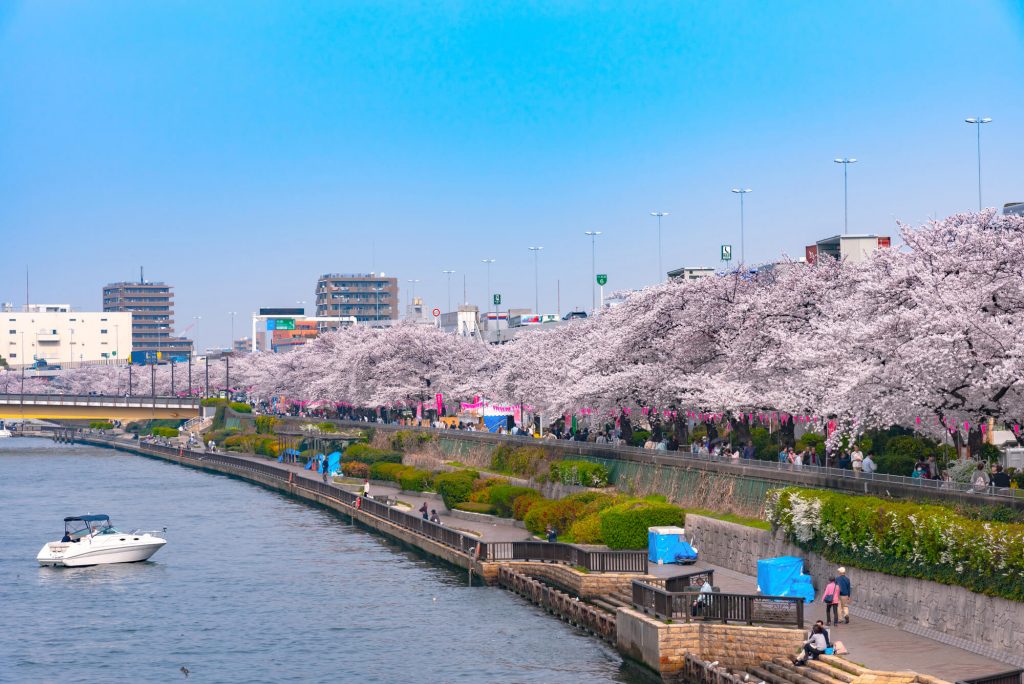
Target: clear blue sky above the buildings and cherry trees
240, 149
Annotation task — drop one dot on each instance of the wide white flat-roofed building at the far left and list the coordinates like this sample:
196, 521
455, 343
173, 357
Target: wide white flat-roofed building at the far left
66, 338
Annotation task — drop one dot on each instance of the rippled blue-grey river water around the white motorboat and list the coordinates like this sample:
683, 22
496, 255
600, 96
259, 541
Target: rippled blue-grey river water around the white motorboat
251, 587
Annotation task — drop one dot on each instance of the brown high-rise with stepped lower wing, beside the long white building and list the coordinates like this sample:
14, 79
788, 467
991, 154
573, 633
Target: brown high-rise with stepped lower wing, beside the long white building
152, 307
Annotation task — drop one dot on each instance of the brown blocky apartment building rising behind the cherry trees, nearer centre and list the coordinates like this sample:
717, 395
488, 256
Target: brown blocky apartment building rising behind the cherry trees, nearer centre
364, 296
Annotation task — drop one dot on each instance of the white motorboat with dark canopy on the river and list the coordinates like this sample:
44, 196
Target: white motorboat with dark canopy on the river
92, 540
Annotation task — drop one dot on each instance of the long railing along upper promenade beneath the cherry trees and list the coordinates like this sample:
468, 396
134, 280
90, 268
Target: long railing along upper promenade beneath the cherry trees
826, 477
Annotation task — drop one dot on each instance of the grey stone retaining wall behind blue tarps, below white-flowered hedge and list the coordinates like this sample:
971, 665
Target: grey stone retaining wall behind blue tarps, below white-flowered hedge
986, 625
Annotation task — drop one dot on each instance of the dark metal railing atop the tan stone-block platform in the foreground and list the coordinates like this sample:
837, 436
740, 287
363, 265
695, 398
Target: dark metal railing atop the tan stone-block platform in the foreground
693, 607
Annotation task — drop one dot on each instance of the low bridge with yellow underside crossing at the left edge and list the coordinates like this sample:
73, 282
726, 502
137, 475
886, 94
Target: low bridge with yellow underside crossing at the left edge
92, 407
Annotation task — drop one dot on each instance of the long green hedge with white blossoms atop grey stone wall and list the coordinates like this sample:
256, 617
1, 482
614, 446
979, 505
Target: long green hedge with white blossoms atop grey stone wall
905, 539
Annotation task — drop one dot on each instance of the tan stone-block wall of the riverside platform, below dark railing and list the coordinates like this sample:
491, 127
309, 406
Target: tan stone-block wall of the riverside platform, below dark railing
664, 647
